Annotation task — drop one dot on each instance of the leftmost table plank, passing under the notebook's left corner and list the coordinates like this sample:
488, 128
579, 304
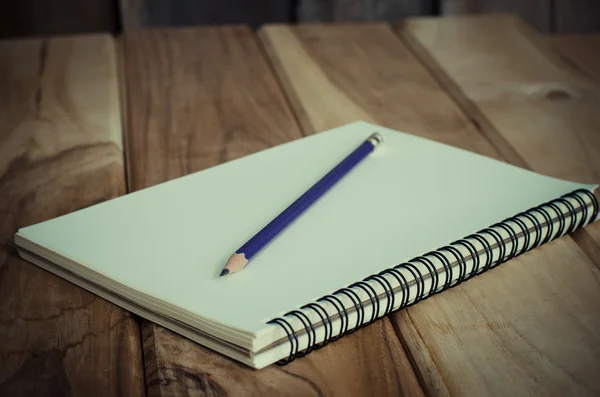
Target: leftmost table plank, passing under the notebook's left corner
60, 151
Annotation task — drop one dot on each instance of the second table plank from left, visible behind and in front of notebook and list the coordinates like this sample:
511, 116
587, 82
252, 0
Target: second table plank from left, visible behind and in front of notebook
191, 107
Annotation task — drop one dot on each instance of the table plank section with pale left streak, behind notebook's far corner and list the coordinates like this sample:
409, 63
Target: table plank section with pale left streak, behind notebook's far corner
339, 74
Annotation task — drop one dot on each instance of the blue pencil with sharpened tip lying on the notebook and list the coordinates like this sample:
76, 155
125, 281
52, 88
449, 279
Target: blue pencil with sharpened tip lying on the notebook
252, 247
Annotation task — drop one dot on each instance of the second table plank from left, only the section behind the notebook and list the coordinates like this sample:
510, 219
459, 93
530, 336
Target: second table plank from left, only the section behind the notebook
190, 107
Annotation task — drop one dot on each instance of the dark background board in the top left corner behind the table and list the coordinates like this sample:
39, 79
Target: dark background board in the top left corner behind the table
39, 18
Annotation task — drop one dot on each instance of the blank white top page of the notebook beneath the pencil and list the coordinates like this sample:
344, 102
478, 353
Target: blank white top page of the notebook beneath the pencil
408, 197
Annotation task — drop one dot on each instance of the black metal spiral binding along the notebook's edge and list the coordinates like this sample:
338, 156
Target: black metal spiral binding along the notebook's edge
514, 227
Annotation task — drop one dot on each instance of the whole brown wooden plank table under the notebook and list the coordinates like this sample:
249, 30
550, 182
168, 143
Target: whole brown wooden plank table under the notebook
88, 118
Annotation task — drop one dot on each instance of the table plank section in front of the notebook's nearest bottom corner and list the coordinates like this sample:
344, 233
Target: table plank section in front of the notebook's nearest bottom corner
367, 363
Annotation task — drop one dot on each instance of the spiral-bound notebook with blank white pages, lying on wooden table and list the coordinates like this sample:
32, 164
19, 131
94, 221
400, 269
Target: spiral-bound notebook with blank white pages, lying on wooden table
415, 218
